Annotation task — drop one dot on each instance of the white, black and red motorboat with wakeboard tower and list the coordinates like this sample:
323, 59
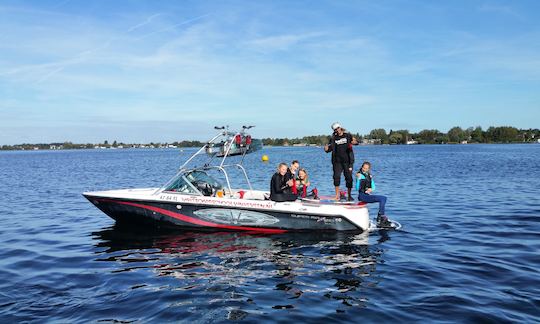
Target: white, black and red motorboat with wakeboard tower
201, 196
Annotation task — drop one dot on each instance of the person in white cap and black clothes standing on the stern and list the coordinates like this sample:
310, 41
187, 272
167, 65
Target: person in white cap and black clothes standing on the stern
342, 157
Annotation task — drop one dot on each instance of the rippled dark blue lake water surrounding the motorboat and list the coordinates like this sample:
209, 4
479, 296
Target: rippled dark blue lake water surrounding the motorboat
469, 249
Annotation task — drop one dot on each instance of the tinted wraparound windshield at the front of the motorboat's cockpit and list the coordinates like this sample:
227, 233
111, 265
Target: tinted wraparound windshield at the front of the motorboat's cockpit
195, 182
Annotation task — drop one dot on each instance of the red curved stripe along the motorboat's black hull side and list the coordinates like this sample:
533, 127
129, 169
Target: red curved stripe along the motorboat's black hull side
195, 221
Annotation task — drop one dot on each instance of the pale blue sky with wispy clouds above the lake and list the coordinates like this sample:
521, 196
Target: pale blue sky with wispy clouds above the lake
141, 71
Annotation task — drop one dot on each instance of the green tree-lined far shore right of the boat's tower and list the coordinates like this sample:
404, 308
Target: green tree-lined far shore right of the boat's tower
504, 134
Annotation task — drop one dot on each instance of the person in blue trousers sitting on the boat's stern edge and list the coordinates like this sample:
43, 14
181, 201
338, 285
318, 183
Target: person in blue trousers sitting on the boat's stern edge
366, 186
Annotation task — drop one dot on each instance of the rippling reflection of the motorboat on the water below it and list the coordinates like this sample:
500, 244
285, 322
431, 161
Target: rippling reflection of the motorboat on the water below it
247, 274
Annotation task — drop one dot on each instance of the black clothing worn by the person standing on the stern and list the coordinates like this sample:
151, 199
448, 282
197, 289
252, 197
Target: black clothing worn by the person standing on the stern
342, 158
